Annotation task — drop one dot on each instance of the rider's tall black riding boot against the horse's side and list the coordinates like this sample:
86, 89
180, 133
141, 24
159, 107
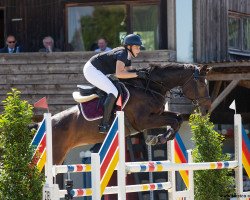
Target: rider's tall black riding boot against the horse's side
108, 107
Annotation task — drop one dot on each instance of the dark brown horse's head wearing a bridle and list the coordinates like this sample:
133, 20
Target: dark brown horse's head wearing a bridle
196, 89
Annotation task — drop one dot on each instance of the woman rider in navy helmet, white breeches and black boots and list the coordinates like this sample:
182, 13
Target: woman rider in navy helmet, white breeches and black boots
117, 62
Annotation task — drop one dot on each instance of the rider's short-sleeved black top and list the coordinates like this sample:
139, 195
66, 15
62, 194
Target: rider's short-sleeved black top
106, 61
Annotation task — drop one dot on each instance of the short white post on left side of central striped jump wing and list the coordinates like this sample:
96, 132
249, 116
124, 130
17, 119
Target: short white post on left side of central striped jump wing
95, 176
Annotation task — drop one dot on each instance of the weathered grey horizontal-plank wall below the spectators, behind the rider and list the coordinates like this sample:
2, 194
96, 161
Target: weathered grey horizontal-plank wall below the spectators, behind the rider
55, 75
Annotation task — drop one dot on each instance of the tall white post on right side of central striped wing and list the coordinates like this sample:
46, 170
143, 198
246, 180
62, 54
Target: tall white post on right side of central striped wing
121, 173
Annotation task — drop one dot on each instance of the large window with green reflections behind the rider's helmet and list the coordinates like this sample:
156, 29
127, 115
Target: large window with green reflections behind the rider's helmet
88, 23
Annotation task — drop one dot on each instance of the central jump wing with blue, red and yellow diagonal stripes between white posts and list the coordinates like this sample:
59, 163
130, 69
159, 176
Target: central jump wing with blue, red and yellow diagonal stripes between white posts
110, 156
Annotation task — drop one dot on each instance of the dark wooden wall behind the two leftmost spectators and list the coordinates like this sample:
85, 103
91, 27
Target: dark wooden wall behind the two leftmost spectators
39, 19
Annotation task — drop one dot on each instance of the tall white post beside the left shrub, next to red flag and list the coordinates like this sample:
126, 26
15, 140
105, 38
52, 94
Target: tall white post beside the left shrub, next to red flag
49, 156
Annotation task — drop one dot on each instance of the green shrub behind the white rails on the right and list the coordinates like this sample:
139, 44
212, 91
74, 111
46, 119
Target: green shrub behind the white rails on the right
209, 184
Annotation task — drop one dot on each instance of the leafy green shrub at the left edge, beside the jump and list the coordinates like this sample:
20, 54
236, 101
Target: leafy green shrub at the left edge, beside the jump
19, 180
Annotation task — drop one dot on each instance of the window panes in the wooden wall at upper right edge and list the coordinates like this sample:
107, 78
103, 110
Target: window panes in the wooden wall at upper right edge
239, 33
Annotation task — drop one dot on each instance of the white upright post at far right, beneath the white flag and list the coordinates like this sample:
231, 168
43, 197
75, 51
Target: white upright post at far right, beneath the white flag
238, 154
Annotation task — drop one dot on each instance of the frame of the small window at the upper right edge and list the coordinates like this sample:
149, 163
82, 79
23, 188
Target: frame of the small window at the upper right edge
238, 51
